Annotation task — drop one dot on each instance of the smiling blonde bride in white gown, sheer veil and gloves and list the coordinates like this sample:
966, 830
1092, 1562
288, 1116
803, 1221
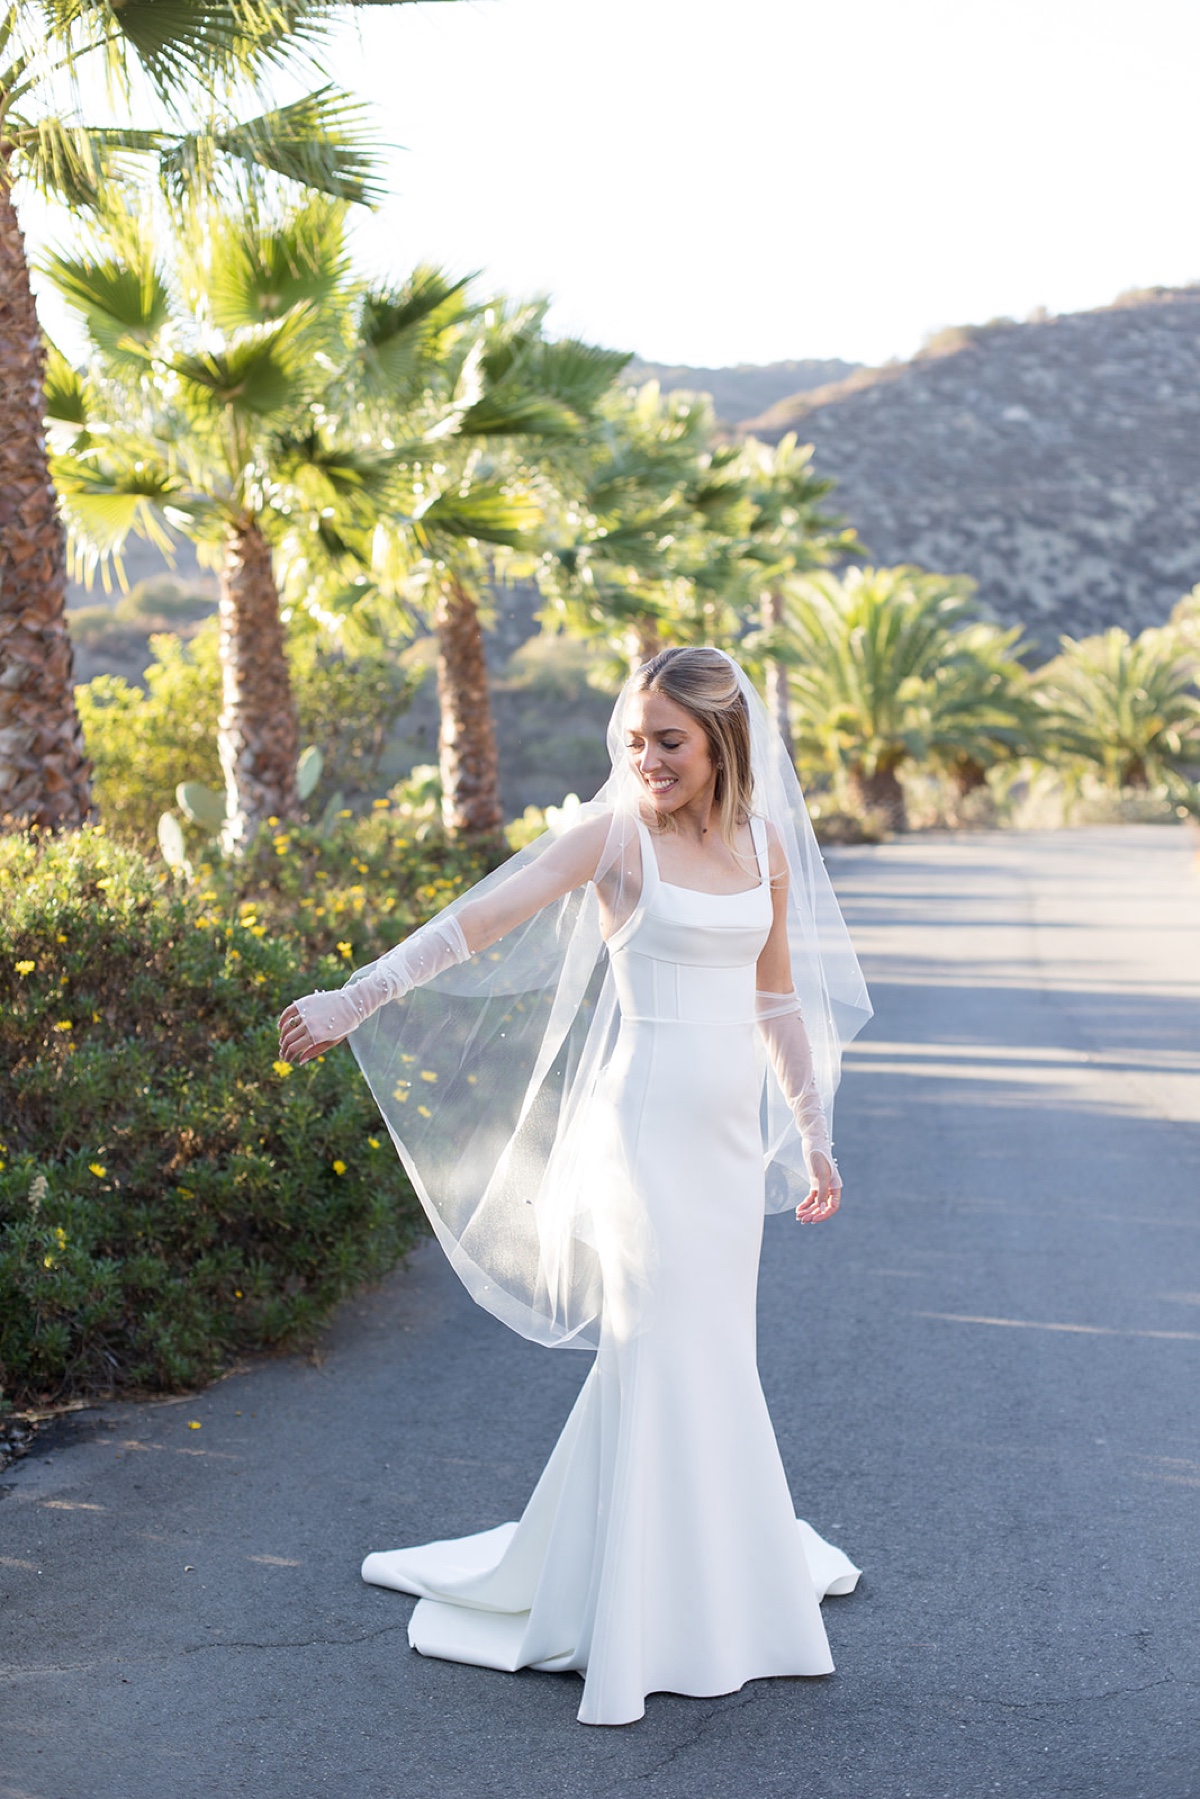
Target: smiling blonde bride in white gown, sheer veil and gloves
600, 1068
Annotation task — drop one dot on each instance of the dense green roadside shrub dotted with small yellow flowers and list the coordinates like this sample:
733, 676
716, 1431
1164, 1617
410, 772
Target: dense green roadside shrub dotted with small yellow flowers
170, 1194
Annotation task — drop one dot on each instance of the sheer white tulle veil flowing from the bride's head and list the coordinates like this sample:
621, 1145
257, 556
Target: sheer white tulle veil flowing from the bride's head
490, 1077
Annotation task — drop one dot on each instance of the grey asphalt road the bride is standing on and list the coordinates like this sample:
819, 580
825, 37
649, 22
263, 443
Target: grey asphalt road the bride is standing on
985, 1379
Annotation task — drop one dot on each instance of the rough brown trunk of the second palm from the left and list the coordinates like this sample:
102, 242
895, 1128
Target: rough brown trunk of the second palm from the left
256, 733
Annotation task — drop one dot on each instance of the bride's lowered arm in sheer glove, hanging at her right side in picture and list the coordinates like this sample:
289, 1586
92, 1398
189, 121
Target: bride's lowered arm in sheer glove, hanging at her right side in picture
782, 1026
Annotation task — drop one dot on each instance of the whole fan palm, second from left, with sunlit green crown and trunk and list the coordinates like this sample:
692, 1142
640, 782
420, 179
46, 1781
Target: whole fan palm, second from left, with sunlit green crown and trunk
204, 380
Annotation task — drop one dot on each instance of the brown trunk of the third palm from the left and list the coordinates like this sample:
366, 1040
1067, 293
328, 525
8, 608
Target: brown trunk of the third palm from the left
467, 742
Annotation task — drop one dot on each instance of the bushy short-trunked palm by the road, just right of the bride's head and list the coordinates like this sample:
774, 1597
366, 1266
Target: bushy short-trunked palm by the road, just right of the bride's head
879, 665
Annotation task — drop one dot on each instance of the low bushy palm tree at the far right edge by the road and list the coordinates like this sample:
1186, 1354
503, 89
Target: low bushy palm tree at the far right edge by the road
1127, 708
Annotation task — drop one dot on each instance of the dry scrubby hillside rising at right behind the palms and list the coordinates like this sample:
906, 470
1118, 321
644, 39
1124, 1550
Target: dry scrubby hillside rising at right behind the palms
1057, 463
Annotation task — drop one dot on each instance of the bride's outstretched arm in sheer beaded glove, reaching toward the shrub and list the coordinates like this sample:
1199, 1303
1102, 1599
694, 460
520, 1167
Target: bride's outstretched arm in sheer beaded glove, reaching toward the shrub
319, 1021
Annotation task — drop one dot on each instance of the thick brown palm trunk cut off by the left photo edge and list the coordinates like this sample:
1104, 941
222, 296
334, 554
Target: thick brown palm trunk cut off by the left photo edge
44, 769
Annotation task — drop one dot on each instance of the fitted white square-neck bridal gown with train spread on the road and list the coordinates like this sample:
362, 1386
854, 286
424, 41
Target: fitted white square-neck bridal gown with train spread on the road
661, 1548
